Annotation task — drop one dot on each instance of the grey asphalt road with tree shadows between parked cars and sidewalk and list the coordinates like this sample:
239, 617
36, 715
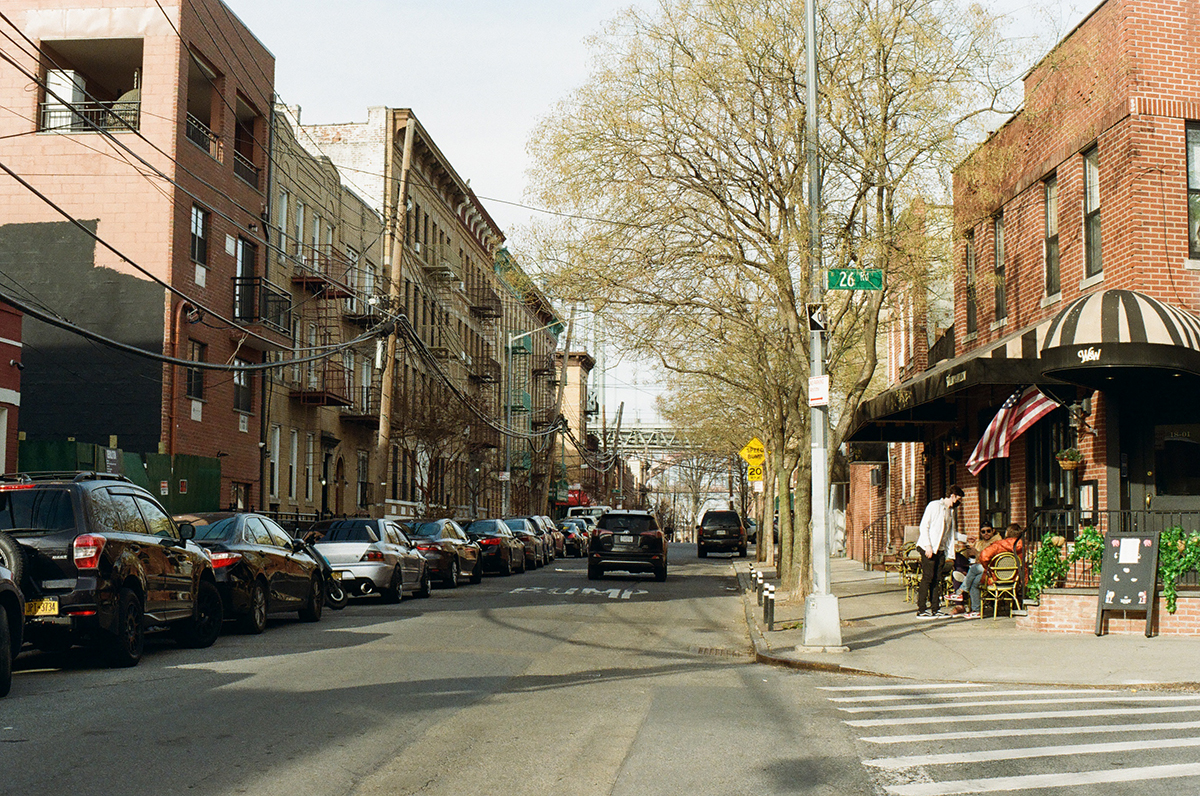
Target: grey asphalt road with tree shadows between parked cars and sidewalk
537, 684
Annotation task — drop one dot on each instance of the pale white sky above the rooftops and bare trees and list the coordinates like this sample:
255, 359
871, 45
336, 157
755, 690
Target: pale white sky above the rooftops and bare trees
481, 75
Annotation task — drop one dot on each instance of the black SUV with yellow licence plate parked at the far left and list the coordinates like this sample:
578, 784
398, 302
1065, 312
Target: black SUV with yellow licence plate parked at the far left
103, 562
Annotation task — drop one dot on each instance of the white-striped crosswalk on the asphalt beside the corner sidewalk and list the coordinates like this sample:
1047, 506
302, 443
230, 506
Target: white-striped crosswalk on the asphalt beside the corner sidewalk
983, 746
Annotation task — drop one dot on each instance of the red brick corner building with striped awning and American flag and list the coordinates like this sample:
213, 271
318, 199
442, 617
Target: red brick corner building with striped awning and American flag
1078, 266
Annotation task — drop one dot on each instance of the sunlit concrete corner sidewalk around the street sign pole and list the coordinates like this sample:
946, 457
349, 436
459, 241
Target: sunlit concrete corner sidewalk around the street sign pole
885, 638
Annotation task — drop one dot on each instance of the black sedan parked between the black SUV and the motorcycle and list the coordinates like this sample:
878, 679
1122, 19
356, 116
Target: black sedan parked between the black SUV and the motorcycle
259, 567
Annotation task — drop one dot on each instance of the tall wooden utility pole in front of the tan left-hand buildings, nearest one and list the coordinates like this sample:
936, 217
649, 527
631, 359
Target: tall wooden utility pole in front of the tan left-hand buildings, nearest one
397, 242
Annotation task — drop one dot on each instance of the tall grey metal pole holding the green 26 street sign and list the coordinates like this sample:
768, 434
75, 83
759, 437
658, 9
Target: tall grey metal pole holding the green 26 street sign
823, 624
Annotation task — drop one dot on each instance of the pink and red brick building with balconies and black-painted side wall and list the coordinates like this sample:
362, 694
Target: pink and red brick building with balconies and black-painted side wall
148, 125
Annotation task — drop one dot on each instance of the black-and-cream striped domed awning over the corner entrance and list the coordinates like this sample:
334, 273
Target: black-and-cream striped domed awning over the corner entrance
1102, 333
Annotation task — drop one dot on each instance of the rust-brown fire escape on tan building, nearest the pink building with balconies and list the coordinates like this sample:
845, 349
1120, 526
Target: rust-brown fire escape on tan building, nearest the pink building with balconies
325, 276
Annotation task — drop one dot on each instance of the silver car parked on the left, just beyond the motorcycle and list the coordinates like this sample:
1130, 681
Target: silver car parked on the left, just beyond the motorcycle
373, 556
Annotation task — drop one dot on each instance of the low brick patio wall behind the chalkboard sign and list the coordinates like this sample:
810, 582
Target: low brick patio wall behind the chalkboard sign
1075, 612
